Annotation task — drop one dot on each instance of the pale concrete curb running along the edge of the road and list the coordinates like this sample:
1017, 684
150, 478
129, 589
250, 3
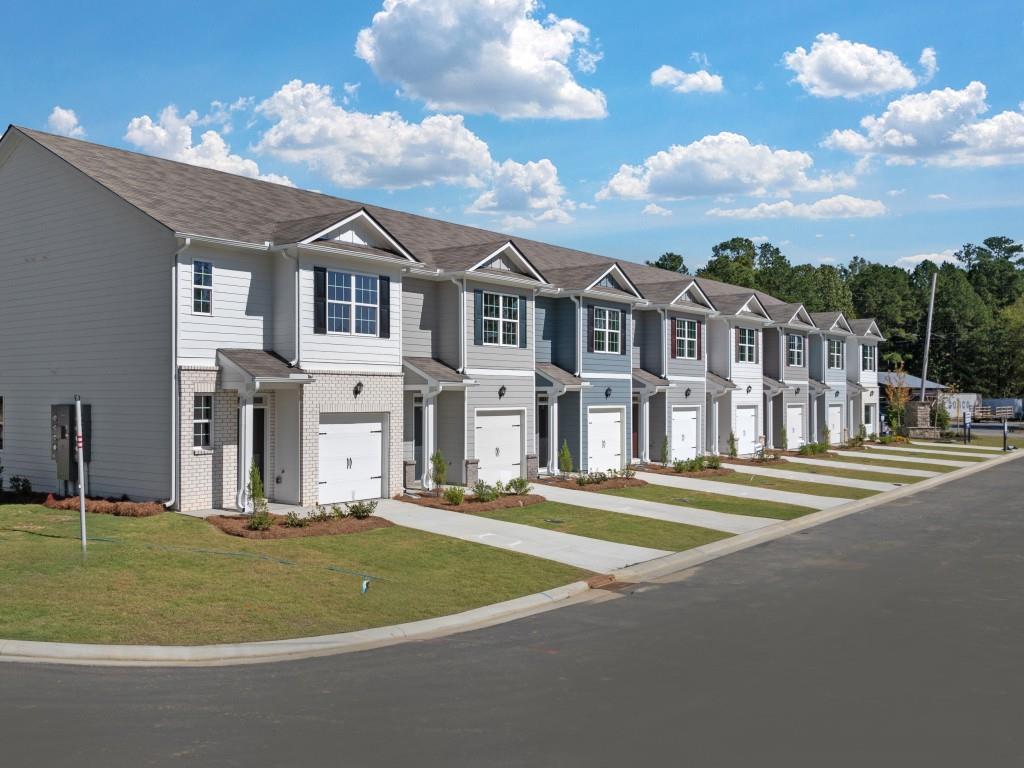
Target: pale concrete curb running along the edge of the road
488, 616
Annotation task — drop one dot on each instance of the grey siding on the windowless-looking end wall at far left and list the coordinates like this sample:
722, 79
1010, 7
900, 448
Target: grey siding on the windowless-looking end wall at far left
86, 308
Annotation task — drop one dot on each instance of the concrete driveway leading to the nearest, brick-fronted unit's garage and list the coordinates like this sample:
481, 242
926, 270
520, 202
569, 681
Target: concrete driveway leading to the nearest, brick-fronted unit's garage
591, 554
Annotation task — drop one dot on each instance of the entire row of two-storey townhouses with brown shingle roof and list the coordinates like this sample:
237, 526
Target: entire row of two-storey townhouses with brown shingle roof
211, 321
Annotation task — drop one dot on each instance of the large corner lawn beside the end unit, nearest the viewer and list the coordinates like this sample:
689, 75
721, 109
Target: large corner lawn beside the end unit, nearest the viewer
151, 586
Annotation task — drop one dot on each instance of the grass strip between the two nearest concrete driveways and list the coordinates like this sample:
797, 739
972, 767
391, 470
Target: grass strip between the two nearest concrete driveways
612, 527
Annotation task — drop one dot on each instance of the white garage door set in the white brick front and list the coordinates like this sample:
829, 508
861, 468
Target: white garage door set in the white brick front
351, 461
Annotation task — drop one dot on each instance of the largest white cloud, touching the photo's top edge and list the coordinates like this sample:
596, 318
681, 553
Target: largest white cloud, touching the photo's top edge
492, 57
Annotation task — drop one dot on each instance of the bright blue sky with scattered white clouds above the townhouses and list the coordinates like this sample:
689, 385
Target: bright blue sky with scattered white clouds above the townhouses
888, 131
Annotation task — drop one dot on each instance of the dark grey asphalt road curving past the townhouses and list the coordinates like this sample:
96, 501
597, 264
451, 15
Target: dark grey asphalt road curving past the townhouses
894, 637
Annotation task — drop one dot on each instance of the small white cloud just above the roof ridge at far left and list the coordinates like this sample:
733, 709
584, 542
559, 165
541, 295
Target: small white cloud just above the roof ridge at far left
172, 137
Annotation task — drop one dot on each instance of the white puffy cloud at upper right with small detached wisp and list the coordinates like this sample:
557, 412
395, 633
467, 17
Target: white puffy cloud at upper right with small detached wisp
841, 68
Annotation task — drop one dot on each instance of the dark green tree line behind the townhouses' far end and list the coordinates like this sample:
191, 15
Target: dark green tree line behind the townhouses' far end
978, 328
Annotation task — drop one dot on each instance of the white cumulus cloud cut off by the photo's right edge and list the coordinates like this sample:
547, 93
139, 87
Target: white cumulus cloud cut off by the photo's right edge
940, 127
